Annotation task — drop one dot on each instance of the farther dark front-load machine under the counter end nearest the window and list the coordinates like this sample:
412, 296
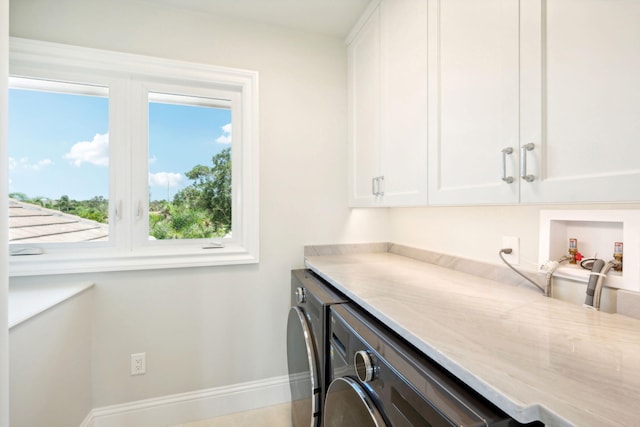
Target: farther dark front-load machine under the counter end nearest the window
307, 346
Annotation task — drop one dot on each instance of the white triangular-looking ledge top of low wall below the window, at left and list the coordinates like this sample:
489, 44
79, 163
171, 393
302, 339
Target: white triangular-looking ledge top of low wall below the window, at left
25, 303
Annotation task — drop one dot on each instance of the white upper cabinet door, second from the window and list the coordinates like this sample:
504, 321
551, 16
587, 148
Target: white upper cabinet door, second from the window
403, 151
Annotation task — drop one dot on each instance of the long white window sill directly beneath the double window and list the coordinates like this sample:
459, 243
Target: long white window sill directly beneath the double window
105, 260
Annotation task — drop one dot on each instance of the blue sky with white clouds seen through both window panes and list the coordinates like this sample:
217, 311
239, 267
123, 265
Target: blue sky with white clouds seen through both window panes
58, 144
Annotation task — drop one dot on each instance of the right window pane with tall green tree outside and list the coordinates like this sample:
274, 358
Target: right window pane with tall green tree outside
189, 167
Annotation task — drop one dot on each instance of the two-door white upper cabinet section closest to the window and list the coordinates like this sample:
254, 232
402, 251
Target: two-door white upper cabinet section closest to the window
388, 107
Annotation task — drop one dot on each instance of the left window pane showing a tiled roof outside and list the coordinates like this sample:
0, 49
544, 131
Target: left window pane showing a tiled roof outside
58, 162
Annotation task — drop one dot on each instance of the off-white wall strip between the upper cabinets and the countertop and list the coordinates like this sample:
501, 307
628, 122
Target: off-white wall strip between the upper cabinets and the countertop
476, 233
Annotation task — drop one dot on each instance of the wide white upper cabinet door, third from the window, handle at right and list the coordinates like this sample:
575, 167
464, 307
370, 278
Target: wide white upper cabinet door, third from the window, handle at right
473, 101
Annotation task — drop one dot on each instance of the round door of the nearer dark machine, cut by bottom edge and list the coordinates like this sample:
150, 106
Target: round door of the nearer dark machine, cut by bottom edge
347, 405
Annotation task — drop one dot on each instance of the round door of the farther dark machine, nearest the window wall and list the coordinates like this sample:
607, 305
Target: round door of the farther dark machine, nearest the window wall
302, 358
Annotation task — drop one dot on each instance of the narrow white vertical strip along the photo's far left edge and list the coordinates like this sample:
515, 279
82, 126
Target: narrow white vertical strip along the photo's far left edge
4, 331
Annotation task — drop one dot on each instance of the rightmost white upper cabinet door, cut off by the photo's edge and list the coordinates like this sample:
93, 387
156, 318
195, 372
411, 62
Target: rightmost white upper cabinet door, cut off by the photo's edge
581, 100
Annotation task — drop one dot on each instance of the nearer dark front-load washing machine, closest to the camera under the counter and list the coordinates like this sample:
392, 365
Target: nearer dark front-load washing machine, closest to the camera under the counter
379, 380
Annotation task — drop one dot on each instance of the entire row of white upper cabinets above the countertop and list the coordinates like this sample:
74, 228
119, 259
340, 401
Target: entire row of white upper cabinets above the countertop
528, 102
